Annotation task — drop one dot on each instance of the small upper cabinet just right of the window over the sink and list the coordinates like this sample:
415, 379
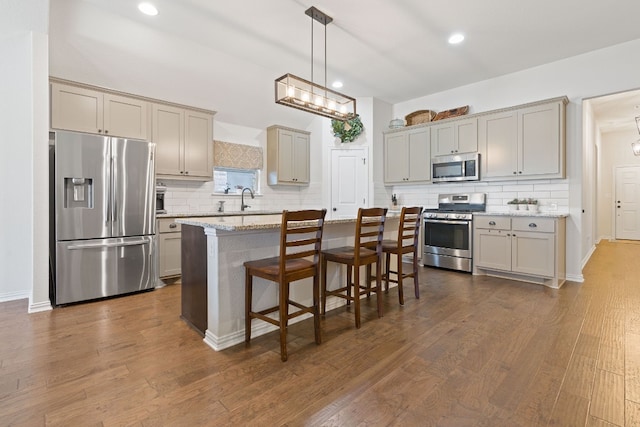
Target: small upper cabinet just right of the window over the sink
287, 156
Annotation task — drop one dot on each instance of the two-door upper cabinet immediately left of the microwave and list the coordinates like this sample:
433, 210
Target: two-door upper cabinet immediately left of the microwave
407, 156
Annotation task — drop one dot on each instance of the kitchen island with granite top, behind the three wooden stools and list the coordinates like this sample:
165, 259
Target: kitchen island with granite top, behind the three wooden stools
213, 252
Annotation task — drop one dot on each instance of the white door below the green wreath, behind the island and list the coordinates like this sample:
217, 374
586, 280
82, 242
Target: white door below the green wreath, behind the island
349, 187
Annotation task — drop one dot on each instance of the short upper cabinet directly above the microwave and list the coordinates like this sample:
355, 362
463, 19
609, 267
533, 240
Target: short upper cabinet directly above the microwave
454, 137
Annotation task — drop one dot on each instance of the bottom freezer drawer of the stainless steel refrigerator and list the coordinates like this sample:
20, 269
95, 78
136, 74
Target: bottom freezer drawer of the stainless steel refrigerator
90, 269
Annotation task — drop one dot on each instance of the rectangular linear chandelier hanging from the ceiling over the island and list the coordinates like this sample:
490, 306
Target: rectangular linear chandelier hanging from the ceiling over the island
308, 96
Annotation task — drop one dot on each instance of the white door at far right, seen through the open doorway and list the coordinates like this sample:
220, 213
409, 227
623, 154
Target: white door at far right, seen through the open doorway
627, 202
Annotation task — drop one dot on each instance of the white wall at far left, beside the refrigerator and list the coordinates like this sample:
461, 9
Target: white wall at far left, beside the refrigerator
23, 152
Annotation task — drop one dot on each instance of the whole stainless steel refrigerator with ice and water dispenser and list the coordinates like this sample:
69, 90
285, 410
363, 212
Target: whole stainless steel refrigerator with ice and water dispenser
103, 207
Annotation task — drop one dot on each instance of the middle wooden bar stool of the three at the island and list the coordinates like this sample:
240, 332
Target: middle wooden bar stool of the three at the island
367, 249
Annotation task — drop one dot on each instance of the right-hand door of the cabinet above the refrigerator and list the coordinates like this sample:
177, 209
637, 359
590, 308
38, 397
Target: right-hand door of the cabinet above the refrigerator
125, 117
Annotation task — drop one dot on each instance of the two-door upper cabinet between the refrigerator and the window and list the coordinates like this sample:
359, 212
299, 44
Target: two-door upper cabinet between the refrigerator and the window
184, 142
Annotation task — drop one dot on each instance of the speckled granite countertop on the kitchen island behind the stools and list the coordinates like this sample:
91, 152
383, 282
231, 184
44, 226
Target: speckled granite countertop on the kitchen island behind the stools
253, 222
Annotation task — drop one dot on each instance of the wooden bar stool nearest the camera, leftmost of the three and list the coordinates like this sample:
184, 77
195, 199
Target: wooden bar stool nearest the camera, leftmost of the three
300, 245
